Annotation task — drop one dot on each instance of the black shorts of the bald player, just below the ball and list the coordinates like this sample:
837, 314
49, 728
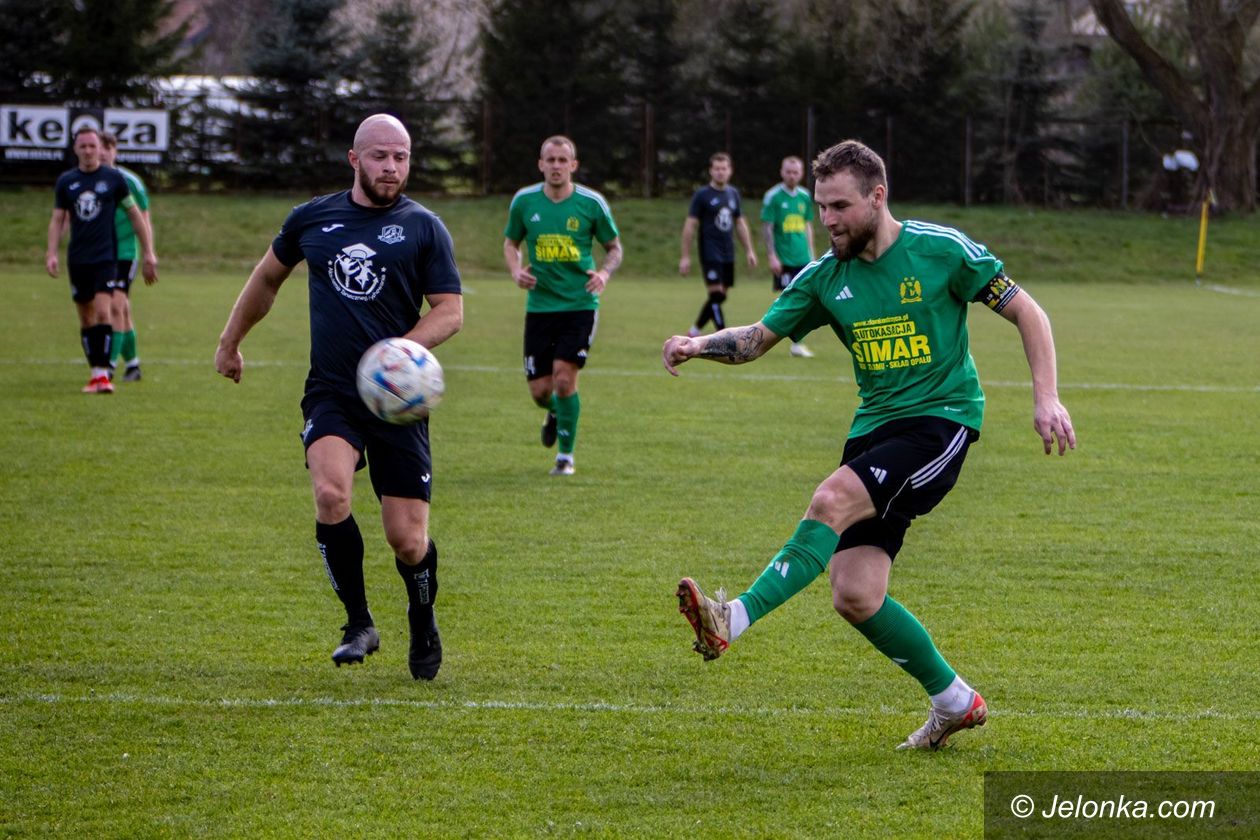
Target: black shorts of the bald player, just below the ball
396, 457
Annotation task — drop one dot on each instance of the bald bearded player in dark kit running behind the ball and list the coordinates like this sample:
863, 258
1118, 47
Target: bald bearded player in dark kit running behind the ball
375, 259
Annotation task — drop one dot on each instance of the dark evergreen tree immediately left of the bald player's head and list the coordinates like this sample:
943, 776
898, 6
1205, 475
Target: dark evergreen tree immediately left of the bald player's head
297, 120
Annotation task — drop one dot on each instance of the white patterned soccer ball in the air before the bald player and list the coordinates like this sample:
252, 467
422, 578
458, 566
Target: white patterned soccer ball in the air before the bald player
400, 381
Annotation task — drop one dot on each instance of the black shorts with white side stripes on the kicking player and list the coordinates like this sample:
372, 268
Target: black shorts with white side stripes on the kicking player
908, 467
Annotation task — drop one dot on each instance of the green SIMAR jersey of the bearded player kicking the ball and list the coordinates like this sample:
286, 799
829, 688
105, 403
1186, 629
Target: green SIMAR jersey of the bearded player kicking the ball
903, 319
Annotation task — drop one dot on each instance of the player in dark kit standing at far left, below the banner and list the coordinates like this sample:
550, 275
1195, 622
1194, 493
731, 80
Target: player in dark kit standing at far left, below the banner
88, 197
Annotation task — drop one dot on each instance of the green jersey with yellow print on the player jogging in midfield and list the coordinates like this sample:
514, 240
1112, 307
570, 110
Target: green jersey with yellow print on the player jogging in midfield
559, 239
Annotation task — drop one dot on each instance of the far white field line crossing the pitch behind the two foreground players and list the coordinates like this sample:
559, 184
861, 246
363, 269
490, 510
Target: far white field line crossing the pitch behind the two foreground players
739, 376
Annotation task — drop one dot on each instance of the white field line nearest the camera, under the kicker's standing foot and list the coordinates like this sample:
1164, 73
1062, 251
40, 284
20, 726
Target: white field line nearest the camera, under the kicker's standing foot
599, 708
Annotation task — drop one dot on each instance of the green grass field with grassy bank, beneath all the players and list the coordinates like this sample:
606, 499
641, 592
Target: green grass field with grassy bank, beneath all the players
164, 669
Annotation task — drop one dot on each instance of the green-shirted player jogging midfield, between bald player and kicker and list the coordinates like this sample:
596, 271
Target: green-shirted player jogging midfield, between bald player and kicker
559, 221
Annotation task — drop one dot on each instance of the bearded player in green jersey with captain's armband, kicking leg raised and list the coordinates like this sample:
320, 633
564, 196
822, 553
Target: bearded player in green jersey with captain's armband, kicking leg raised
896, 295
